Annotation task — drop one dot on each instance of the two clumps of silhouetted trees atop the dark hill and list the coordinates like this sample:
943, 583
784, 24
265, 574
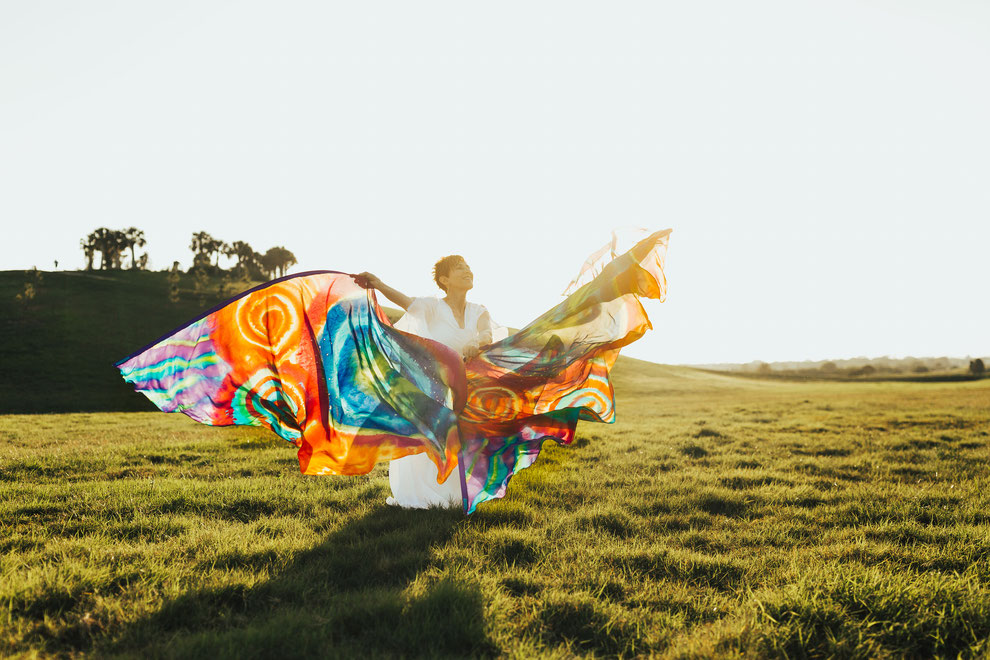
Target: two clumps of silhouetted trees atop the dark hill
116, 245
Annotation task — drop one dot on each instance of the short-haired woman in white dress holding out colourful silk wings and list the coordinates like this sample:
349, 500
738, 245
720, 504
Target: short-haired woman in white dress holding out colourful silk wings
462, 326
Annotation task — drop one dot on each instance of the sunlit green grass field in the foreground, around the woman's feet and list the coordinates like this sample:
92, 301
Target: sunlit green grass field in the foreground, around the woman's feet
718, 517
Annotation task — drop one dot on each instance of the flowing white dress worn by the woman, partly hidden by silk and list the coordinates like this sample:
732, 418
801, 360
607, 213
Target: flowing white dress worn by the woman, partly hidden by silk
414, 478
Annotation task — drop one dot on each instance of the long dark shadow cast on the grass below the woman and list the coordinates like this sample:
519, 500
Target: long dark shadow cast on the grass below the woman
351, 596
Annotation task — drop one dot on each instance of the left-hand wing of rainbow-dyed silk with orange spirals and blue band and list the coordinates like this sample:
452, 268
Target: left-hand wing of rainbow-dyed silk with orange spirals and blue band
313, 358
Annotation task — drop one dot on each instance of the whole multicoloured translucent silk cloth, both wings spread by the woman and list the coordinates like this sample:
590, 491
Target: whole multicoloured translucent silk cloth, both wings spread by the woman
314, 358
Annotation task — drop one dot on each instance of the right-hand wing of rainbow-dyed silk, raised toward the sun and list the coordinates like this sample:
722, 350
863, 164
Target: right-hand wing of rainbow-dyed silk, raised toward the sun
538, 383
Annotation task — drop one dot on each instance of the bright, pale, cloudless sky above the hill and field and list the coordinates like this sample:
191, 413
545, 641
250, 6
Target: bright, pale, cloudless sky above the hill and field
824, 166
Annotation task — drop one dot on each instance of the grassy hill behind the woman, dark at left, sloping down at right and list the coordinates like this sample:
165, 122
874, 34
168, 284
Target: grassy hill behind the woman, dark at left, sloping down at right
58, 349
